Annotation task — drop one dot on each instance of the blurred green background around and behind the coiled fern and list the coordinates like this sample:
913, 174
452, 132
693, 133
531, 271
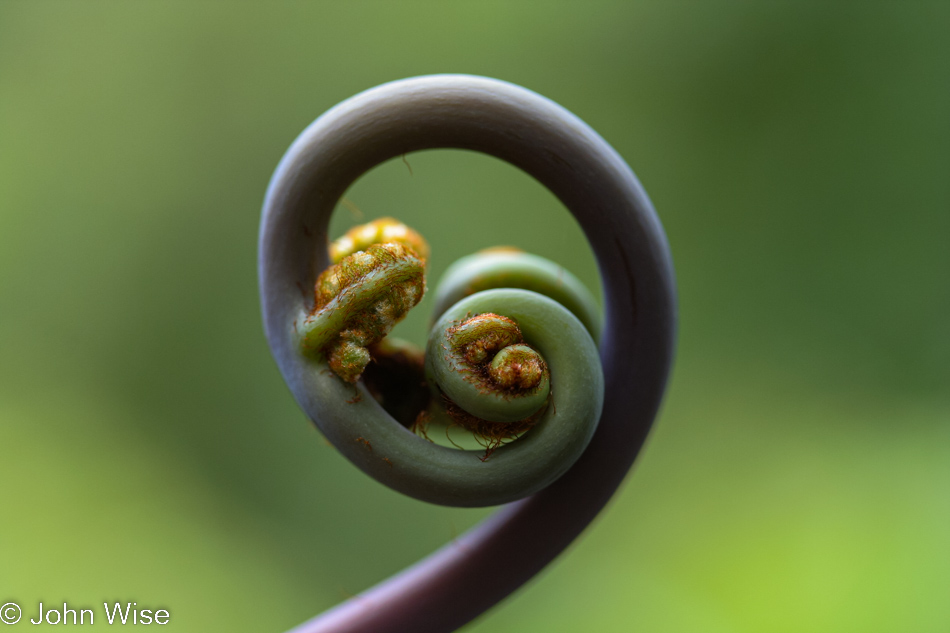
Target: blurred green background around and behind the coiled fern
798, 478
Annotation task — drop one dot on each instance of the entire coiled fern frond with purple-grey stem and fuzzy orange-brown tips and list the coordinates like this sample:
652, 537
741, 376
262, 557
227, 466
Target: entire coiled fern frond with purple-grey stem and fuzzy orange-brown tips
625, 378
